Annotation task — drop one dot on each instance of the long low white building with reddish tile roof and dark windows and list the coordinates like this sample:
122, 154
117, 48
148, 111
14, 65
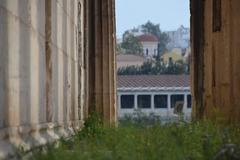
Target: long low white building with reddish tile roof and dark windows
158, 94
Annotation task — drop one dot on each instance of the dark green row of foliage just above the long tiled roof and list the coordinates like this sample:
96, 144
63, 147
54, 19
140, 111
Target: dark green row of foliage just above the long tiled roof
155, 68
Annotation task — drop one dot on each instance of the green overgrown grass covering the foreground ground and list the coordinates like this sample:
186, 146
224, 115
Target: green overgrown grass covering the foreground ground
134, 140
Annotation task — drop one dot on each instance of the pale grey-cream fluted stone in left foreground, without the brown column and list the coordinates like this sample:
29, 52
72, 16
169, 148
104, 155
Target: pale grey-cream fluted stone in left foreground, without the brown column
41, 71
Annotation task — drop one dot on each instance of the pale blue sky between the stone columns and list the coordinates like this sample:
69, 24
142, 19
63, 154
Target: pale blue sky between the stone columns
170, 14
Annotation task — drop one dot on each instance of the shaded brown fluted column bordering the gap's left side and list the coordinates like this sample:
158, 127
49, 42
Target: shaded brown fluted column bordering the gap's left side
101, 50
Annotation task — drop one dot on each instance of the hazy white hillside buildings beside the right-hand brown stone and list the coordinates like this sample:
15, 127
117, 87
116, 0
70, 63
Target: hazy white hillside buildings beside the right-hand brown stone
179, 38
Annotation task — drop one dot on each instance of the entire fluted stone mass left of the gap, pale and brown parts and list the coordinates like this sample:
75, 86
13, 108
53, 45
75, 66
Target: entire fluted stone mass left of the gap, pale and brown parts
57, 63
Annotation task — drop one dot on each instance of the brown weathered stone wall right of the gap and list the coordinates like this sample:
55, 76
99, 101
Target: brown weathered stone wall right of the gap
216, 46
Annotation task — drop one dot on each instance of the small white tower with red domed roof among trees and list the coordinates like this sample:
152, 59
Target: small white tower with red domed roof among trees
150, 44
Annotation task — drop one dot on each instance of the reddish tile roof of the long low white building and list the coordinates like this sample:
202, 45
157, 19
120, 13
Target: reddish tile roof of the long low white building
143, 81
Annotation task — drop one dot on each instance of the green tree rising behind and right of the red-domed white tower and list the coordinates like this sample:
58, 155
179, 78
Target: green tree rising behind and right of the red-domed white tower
154, 29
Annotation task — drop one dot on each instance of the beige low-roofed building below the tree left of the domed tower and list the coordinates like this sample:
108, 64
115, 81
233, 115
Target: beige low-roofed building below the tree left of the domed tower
124, 60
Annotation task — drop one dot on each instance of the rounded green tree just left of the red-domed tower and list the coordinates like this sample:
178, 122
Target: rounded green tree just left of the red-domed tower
131, 44
